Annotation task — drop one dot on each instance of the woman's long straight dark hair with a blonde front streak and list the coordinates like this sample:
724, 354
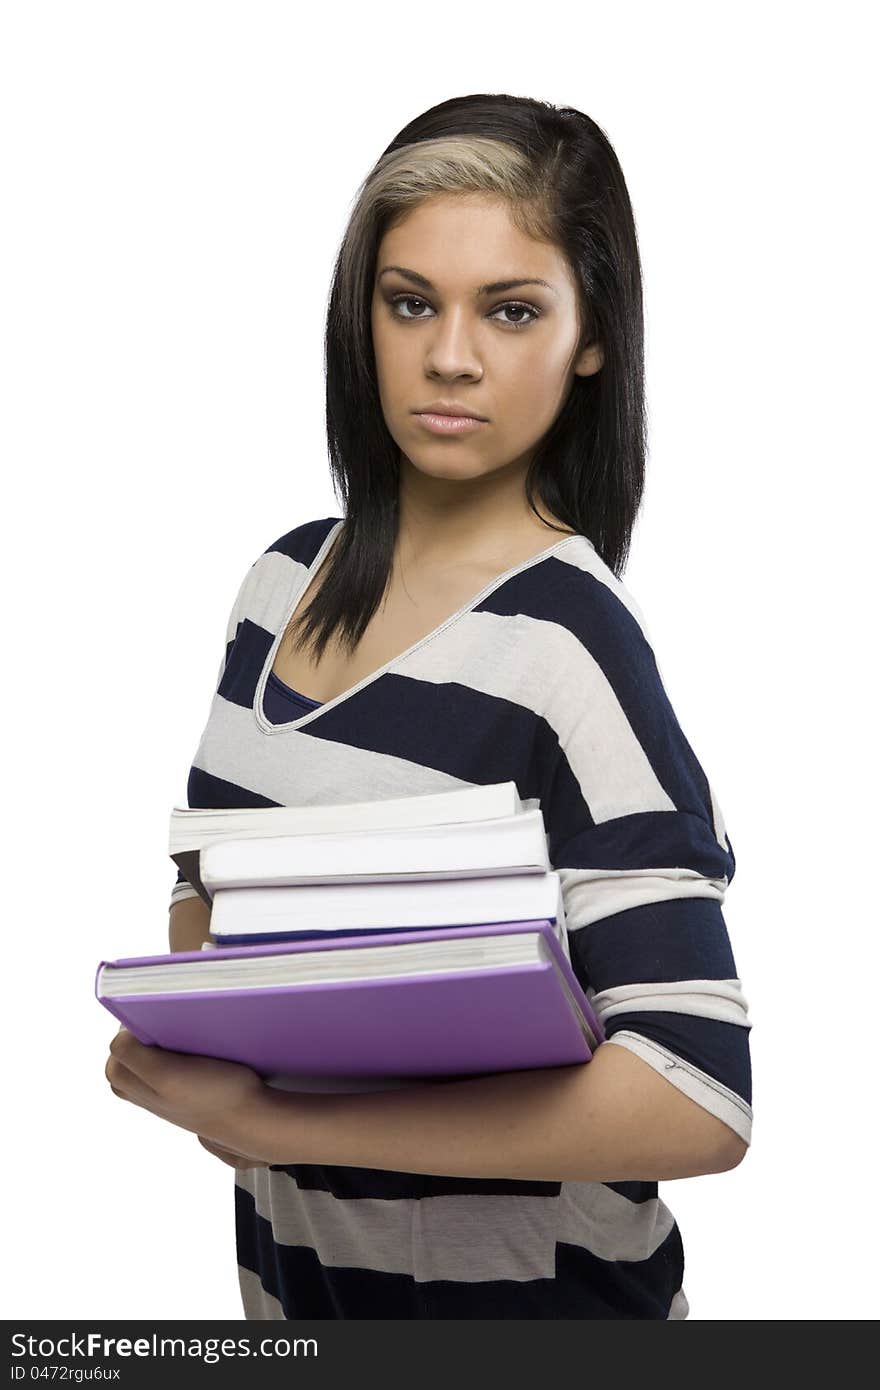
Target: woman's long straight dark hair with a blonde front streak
561, 179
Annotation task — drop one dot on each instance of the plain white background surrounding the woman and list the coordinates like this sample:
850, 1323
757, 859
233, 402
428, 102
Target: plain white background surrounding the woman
176, 180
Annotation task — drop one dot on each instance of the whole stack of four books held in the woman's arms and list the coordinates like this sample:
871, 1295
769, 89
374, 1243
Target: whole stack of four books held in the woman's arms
400, 939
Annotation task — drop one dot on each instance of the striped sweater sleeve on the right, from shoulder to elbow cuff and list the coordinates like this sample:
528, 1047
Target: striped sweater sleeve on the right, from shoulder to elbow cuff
637, 836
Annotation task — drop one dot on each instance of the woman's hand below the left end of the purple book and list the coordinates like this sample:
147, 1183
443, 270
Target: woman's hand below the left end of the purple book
215, 1100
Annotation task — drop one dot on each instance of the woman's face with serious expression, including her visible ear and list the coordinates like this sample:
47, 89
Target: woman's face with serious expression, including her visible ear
443, 334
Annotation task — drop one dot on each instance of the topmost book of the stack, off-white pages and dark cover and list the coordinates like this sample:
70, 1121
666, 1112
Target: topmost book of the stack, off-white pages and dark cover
194, 829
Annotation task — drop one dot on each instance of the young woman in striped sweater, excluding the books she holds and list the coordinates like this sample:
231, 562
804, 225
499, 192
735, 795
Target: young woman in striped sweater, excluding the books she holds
465, 623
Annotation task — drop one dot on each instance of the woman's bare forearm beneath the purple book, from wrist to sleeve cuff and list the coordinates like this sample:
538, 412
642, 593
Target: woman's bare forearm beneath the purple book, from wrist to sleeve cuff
612, 1120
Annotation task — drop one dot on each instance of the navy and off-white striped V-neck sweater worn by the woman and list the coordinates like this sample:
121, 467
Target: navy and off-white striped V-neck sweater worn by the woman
547, 679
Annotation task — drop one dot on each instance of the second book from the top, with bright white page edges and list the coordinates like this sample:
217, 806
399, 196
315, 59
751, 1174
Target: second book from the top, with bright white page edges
510, 844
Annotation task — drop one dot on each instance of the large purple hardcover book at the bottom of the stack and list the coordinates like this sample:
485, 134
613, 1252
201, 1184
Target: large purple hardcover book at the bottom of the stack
511, 1001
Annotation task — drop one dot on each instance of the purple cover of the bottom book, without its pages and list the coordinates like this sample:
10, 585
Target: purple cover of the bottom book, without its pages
496, 1020
